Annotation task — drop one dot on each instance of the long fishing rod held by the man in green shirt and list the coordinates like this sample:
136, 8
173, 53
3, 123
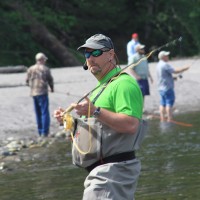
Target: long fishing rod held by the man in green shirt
173, 42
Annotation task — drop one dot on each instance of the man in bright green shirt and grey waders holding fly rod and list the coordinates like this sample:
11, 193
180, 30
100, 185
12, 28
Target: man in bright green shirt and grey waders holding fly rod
112, 116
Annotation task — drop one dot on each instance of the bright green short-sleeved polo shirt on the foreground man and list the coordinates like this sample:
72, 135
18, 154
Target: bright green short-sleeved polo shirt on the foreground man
122, 95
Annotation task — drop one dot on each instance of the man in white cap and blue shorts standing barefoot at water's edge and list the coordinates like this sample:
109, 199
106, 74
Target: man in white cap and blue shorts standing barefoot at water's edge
166, 85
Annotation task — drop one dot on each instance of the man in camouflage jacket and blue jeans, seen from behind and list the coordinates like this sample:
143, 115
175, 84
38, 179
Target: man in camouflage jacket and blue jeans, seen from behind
39, 78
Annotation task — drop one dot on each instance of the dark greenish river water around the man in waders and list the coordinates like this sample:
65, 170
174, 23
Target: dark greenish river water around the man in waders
170, 167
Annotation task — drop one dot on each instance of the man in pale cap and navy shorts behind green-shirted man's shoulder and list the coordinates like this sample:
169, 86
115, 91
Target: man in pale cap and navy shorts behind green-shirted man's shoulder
141, 69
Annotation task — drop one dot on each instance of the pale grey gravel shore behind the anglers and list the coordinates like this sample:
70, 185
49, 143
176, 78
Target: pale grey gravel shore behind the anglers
71, 83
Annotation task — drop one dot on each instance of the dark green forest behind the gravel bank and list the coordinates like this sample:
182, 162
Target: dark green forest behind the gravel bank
58, 27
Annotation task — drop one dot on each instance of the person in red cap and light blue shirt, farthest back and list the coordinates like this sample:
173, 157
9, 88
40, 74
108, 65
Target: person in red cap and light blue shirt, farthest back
131, 47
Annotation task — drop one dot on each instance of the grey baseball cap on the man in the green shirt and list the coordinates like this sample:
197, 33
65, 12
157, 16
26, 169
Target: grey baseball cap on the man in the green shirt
98, 41
